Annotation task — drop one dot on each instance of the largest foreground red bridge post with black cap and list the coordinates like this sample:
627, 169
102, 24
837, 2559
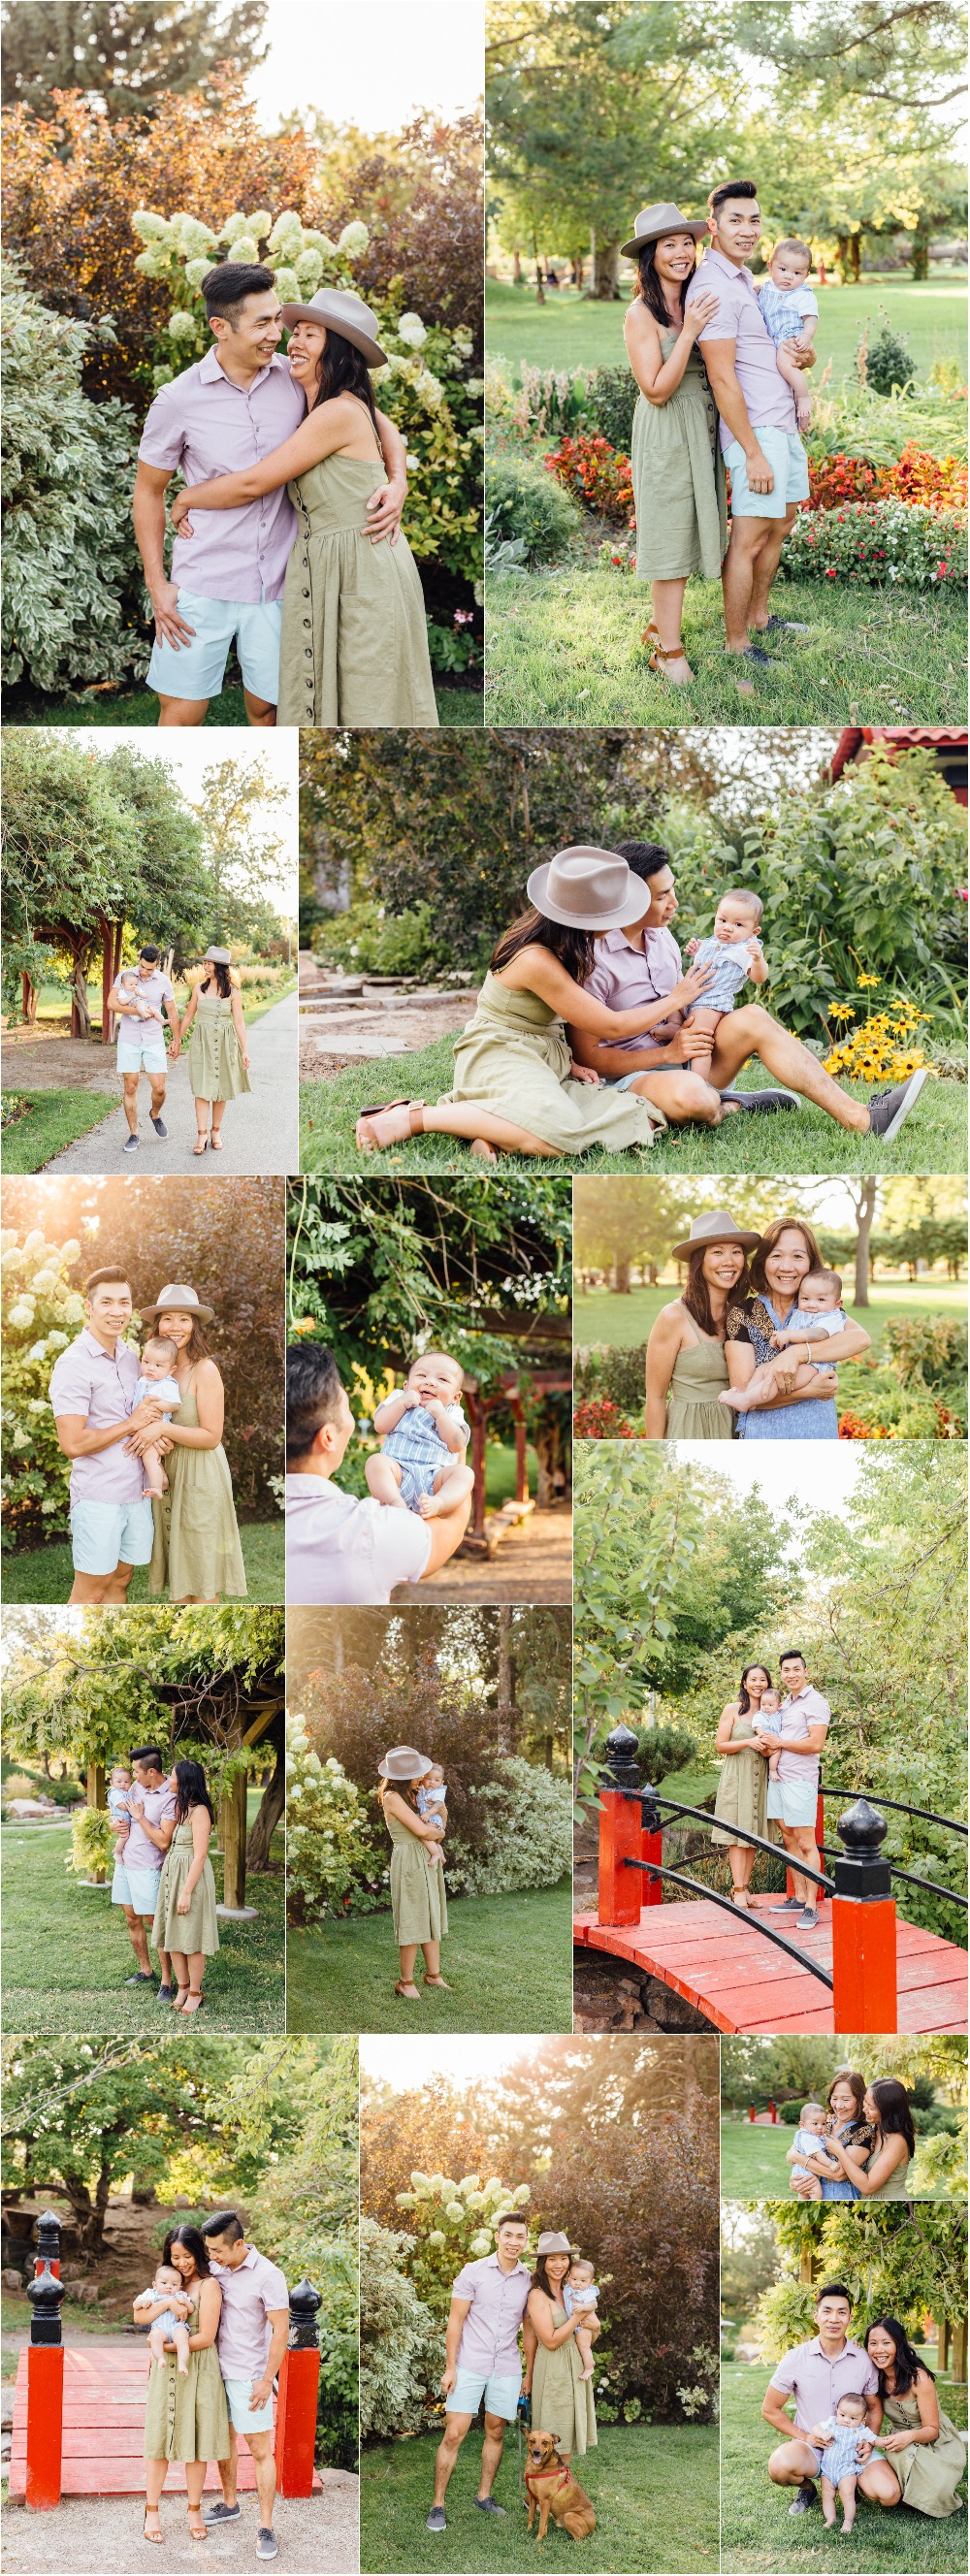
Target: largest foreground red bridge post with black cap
863, 1926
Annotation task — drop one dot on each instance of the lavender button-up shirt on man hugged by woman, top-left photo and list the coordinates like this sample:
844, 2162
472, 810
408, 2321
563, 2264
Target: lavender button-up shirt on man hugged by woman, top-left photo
212, 426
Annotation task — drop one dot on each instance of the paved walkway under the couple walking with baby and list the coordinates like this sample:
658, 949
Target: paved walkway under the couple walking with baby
261, 1132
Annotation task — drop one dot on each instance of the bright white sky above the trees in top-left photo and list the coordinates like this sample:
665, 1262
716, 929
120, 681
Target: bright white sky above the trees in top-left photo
372, 66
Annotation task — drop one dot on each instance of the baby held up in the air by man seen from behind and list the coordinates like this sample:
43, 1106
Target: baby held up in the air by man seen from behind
423, 1441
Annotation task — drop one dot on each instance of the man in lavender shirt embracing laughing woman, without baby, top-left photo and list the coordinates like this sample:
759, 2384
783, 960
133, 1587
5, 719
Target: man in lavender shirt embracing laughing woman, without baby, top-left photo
228, 578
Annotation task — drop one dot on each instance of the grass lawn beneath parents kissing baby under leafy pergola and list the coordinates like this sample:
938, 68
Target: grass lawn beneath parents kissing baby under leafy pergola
68, 1949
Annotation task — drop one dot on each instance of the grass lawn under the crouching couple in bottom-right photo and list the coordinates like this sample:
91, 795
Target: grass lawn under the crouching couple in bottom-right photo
758, 2533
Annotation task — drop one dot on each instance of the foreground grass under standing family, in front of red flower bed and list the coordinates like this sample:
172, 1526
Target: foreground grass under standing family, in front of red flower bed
567, 648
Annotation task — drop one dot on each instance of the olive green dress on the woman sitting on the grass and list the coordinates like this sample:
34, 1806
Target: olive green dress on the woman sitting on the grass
513, 1060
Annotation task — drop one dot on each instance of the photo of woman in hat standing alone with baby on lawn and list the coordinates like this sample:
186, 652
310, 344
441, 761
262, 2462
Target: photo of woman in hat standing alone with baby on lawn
428, 1820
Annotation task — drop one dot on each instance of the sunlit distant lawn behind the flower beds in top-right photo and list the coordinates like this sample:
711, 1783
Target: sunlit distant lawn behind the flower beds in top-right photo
567, 331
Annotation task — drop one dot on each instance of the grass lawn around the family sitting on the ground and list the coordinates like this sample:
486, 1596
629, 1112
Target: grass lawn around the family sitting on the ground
933, 1140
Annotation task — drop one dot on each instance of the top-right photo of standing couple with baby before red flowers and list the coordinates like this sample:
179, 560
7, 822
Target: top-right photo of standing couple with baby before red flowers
727, 383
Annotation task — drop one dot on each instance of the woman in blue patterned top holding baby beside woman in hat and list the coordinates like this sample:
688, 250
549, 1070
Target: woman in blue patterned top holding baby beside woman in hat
783, 1258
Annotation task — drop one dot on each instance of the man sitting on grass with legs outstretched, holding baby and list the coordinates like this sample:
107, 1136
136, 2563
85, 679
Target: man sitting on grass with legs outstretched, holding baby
639, 967
